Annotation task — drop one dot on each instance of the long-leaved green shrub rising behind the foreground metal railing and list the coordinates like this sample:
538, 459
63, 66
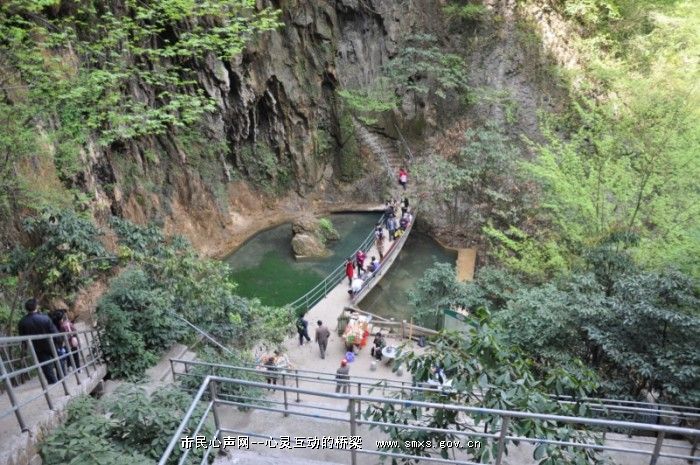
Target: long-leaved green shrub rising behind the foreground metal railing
487, 372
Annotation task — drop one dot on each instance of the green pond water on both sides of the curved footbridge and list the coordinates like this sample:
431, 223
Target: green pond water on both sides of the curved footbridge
265, 267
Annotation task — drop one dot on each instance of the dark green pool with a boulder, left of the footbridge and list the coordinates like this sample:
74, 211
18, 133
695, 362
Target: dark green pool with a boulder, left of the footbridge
265, 267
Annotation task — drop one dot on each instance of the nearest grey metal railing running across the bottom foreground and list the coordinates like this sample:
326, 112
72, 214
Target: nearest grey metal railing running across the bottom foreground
350, 413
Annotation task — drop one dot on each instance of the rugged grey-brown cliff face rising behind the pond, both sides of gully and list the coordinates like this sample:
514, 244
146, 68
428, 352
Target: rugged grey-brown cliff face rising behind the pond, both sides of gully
279, 142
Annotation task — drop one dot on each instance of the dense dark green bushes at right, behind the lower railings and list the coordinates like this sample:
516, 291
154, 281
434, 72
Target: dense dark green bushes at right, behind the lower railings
635, 328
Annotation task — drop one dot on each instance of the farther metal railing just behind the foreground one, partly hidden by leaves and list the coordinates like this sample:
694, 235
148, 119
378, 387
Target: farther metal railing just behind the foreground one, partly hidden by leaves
365, 383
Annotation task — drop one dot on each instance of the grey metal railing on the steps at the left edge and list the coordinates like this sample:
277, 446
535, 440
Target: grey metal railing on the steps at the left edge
20, 364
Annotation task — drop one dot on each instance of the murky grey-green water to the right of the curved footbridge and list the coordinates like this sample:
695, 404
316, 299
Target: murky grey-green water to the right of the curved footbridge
389, 298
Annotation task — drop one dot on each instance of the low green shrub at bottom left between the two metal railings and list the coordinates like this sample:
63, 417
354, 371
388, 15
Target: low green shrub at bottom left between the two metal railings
129, 427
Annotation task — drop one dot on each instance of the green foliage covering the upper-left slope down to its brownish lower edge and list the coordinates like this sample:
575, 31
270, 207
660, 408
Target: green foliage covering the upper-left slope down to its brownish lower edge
77, 74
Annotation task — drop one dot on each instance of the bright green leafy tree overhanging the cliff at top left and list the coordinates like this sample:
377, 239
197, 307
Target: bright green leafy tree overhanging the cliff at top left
123, 70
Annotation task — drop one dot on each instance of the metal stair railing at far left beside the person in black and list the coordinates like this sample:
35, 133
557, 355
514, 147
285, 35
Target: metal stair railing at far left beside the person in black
89, 355
